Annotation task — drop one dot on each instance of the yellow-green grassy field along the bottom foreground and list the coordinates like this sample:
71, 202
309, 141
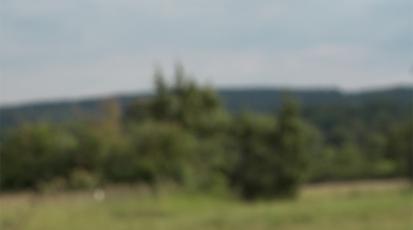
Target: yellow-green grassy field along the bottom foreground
358, 205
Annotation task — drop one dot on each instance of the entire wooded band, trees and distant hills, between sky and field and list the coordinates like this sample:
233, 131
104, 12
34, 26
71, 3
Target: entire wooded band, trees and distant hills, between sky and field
256, 143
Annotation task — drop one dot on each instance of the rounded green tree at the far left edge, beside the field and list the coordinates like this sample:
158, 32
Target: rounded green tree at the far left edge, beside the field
34, 154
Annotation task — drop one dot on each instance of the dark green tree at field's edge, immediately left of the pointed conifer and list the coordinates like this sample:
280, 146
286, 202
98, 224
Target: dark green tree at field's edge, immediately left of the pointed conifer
254, 172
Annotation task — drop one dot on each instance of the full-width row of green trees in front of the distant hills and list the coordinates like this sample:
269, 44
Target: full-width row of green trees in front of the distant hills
185, 136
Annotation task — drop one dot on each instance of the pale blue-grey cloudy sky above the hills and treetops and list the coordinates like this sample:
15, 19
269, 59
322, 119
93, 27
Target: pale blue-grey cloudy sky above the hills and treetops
55, 49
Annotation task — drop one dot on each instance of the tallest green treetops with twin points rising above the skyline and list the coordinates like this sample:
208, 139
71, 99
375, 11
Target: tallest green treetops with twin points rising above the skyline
196, 108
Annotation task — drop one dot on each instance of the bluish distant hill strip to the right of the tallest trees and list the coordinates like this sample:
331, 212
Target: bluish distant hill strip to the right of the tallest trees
266, 100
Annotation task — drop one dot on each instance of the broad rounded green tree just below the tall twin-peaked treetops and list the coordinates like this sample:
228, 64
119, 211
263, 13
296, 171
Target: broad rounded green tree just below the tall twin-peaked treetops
158, 152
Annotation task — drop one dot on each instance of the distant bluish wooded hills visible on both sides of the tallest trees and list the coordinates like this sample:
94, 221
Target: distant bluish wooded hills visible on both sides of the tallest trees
319, 105
